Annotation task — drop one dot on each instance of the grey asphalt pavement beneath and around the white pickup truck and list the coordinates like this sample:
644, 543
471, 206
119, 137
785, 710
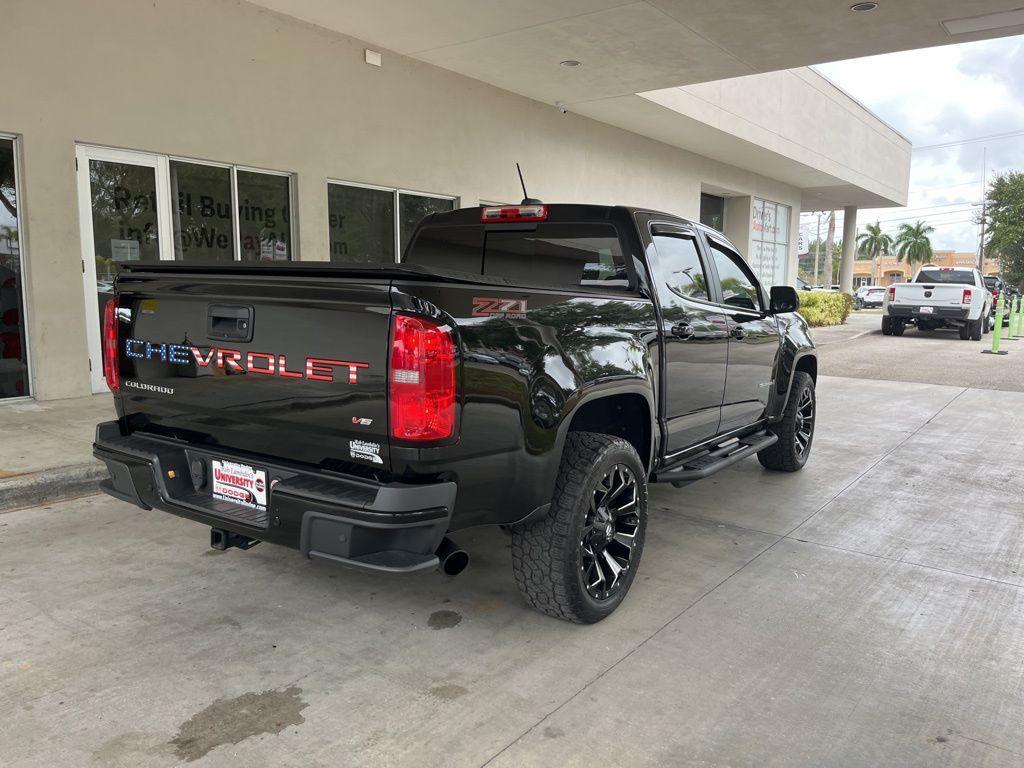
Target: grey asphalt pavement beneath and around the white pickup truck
860, 351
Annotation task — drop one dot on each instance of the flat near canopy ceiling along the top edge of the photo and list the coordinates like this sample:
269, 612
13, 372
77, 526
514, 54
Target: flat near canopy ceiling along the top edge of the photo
633, 48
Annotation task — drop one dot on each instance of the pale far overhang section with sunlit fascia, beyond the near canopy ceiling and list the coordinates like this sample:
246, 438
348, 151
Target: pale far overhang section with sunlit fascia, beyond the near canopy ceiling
845, 157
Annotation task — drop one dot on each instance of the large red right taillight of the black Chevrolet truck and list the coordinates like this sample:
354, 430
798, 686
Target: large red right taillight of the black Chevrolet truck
421, 388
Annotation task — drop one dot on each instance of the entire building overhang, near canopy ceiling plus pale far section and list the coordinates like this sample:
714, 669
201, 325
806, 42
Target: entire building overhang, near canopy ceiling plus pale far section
641, 64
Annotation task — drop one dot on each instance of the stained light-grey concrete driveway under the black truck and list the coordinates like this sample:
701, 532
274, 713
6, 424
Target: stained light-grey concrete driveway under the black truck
866, 612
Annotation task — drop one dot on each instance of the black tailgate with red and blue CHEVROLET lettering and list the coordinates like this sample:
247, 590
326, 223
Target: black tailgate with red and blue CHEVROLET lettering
275, 365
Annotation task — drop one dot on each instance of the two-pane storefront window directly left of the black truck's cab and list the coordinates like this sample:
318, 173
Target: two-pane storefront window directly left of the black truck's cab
363, 221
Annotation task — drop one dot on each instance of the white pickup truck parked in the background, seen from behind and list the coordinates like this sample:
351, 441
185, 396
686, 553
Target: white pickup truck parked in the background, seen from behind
940, 297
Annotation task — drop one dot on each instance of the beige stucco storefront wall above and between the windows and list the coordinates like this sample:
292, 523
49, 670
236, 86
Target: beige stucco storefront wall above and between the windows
226, 81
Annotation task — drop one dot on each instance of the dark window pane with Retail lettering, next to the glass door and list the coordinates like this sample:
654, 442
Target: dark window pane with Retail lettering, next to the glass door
201, 200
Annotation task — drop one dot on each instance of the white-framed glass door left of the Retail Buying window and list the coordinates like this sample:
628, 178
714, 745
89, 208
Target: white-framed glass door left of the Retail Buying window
124, 216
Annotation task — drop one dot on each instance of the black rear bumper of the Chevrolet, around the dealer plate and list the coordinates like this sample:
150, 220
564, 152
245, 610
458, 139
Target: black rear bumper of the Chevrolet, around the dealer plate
385, 528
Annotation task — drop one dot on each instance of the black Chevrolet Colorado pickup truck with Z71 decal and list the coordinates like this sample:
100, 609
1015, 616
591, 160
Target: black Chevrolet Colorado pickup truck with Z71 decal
533, 367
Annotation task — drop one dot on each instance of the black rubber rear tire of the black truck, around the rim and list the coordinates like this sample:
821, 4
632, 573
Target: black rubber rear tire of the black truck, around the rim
546, 554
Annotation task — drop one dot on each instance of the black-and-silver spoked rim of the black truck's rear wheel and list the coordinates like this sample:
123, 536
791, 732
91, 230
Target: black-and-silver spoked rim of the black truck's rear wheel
610, 533
